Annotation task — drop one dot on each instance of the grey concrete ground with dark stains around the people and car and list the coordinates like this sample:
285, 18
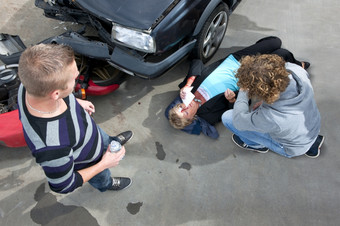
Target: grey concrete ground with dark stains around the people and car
181, 179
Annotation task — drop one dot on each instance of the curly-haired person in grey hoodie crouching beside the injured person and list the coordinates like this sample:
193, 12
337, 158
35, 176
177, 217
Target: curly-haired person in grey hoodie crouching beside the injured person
285, 119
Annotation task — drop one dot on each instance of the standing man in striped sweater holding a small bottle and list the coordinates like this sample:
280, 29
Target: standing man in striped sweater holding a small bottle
59, 129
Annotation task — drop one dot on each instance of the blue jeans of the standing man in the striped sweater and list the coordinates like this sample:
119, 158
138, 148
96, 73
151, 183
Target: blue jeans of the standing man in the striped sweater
102, 181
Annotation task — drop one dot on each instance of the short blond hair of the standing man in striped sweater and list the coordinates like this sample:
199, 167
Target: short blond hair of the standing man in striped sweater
42, 68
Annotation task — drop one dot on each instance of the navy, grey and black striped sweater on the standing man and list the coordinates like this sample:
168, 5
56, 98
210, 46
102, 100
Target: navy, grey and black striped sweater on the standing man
62, 145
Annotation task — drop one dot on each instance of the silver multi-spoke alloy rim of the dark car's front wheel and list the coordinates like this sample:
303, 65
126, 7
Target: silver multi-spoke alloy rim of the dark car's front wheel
215, 34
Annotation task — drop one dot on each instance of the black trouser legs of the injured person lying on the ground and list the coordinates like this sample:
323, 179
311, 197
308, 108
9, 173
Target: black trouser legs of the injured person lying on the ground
268, 45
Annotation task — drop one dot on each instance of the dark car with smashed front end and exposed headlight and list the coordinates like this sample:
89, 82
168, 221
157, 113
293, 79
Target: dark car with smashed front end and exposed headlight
143, 38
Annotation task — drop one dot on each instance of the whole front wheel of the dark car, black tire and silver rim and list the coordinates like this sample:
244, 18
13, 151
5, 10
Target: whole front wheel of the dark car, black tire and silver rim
211, 36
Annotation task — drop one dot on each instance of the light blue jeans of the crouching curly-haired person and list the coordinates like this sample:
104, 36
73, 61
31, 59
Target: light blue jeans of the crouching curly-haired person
252, 138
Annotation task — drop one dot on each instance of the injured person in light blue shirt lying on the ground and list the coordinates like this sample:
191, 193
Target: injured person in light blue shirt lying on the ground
207, 92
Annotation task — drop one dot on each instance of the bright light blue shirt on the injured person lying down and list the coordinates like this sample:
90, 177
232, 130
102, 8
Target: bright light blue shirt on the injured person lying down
222, 78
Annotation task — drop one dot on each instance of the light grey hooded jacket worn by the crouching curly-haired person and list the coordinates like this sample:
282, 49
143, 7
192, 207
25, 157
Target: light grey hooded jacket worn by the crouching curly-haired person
293, 120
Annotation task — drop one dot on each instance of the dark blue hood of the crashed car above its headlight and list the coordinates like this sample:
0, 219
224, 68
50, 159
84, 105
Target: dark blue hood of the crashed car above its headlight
139, 14
